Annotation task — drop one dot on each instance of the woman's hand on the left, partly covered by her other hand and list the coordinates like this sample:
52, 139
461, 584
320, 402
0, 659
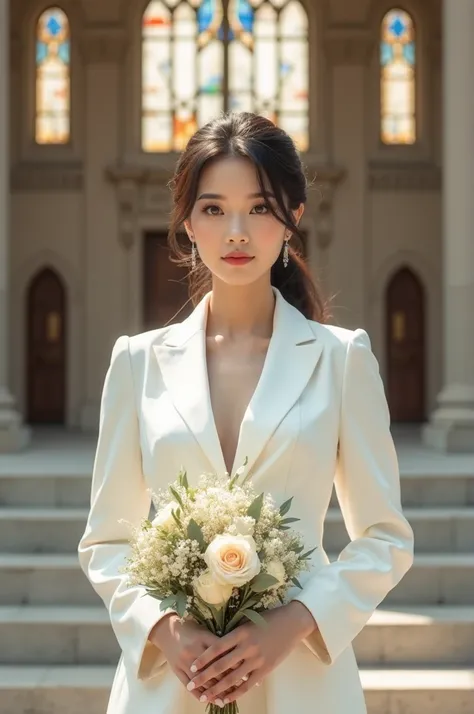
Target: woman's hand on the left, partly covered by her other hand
181, 643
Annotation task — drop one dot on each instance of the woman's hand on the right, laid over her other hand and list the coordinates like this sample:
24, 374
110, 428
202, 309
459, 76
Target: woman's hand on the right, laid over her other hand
250, 652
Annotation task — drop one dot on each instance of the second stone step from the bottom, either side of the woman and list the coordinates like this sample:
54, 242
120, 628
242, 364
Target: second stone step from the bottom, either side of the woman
416, 636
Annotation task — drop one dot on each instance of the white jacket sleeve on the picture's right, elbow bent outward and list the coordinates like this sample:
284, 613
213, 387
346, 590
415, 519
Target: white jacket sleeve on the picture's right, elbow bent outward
343, 595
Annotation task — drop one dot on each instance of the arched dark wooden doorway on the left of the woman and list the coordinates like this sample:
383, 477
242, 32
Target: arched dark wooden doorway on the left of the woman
46, 349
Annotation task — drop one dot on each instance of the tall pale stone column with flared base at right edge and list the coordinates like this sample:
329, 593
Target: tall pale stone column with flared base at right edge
451, 427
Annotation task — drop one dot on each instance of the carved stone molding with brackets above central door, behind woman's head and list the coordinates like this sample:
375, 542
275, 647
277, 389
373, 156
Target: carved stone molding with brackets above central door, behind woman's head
142, 190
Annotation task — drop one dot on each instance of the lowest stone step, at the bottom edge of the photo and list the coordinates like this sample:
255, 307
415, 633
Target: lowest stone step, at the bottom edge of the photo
55, 690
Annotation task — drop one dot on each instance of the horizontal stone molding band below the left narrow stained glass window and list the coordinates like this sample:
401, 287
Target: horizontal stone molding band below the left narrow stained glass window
47, 177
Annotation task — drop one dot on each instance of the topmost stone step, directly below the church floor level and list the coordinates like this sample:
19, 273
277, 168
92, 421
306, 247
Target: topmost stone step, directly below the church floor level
39, 490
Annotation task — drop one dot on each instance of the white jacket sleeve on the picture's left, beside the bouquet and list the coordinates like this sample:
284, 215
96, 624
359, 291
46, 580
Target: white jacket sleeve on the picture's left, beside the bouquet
119, 492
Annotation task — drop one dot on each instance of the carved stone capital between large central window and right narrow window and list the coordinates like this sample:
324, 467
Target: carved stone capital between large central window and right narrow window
347, 46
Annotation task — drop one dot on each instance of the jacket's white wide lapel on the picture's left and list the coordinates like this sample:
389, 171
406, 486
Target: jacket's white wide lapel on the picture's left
182, 360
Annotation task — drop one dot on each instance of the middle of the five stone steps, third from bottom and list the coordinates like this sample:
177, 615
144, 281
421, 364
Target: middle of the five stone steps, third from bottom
48, 579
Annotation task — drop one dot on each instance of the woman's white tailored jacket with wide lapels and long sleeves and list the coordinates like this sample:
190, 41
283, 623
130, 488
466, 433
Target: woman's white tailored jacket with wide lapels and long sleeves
318, 417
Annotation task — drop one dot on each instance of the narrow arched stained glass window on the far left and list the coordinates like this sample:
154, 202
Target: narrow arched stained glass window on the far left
52, 78
